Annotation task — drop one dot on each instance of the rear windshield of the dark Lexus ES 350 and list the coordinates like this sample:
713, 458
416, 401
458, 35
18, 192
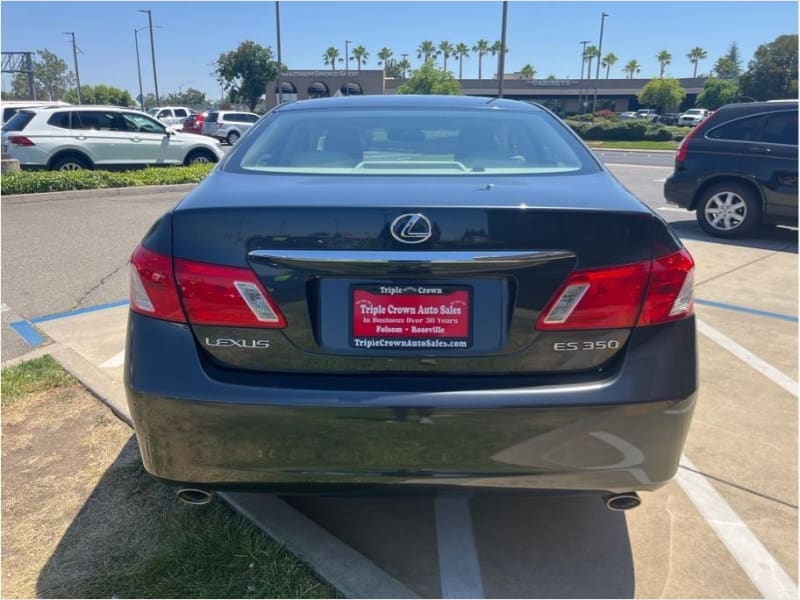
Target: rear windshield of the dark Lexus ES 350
413, 142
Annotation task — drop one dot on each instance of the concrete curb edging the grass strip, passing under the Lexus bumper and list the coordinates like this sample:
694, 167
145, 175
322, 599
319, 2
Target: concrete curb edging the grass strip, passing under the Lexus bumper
347, 570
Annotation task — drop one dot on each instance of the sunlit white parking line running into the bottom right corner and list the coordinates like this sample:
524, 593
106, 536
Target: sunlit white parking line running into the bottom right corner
759, 565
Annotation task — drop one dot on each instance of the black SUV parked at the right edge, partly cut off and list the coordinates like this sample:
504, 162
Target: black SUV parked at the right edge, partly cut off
738, 168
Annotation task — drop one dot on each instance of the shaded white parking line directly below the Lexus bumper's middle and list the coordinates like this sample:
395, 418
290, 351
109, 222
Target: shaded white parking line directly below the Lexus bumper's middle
459, 569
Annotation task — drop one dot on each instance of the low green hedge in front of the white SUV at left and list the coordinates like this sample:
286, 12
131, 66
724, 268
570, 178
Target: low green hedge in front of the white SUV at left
30, 182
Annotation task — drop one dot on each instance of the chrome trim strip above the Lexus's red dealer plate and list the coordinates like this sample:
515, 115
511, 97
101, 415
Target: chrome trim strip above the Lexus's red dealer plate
359, 261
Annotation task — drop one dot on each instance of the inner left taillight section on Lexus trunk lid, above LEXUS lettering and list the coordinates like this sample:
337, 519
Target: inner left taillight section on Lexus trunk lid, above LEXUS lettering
230, 296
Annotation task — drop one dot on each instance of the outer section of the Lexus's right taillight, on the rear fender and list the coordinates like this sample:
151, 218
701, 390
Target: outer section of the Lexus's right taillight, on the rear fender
670, 295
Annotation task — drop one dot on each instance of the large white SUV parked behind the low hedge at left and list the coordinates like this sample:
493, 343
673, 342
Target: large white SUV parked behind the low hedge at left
88, 137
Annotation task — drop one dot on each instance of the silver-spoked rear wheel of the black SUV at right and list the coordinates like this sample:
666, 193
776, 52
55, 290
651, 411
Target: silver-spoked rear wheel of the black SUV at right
728, 210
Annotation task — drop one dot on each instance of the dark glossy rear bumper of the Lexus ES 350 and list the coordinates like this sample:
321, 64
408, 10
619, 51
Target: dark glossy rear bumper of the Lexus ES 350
200, 424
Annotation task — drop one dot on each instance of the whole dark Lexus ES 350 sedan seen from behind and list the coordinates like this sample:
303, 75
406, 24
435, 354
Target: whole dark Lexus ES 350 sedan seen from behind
411, 291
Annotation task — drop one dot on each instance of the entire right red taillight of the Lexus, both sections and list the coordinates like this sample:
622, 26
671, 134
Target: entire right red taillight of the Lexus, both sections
653, 292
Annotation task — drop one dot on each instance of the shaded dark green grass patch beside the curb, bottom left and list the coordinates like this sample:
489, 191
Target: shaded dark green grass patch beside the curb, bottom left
209, 552
